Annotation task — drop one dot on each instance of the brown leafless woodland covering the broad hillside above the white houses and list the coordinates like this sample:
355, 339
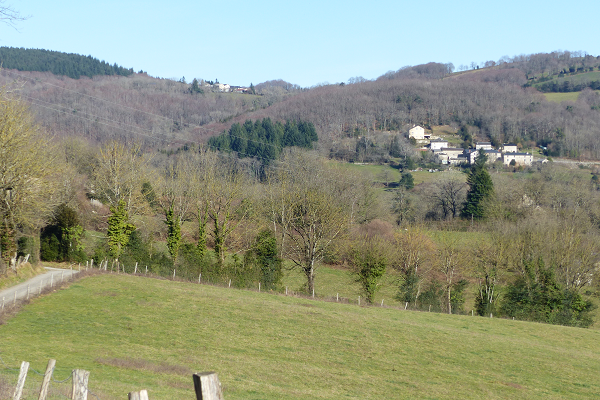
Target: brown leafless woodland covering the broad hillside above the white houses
494, 103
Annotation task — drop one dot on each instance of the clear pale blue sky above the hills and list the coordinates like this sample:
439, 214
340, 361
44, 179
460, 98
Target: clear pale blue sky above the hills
303, 42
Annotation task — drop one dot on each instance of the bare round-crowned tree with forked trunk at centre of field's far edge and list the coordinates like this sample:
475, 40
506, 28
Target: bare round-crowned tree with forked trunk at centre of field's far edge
310, 206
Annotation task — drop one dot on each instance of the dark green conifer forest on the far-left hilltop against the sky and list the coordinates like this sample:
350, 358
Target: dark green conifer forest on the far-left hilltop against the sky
67, 64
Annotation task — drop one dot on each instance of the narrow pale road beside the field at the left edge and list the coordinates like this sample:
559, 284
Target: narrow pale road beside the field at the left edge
34, 286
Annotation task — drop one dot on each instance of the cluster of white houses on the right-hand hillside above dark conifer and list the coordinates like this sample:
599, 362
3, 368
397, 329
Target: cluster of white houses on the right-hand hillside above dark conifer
454, 155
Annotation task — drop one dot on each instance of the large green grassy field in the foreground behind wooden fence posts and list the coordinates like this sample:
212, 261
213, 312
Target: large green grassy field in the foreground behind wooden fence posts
134, 333
